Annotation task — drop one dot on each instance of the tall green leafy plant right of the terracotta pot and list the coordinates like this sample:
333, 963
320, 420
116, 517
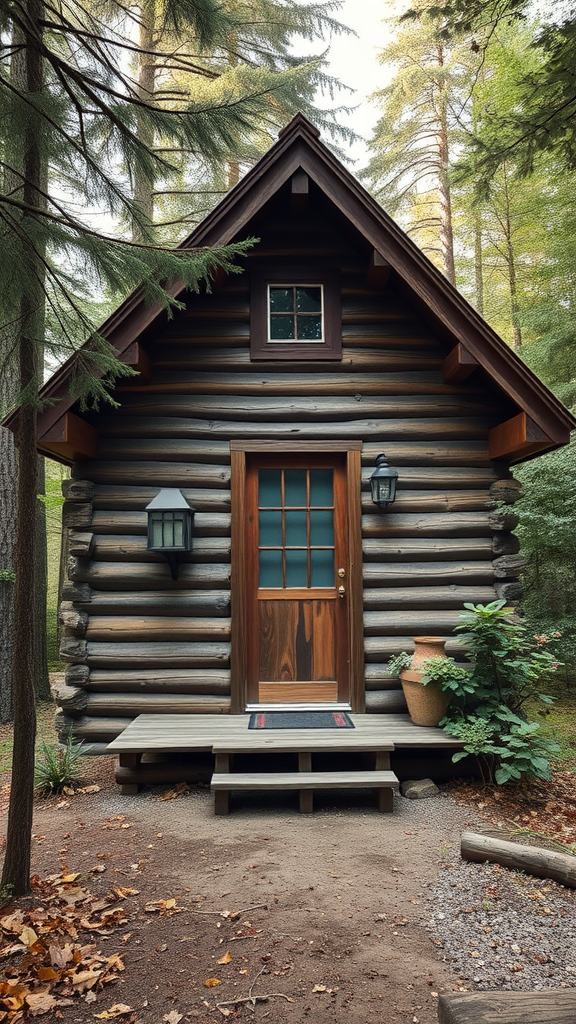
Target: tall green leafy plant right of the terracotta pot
488, 710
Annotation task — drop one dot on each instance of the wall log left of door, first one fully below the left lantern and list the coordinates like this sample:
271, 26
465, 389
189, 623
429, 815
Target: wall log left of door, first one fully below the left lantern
203, 603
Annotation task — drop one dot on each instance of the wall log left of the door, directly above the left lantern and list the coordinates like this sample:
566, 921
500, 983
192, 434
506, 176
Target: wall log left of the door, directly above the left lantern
163, 474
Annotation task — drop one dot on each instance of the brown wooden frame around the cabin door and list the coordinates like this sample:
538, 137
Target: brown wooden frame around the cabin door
239, 601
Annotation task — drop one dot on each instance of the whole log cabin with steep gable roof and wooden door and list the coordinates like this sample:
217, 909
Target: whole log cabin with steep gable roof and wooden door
265, 403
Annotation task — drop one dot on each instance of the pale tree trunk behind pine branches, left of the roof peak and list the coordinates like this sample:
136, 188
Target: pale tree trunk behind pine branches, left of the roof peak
144, 184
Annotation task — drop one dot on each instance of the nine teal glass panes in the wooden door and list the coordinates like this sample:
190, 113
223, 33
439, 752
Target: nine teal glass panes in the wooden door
297, 528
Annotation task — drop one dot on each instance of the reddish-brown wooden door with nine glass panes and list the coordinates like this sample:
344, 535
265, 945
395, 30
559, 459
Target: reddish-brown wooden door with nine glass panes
299, 568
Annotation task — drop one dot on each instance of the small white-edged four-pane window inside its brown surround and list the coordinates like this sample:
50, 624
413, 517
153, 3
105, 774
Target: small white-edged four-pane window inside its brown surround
296, 313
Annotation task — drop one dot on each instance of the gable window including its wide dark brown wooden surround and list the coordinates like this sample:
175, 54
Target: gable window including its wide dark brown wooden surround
296, 315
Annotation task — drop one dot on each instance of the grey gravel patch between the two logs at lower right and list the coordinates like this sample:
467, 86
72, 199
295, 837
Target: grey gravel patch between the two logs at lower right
503, 929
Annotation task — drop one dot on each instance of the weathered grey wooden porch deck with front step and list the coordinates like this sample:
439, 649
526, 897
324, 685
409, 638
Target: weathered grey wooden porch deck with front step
225, 737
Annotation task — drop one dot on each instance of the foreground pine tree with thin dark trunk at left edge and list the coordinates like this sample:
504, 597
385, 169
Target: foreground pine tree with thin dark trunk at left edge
73, 93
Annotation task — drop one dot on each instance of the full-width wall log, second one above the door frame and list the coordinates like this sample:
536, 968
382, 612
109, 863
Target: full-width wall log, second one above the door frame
293, 407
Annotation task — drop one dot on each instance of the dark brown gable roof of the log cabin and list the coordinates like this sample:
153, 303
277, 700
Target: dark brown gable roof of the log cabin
543, 423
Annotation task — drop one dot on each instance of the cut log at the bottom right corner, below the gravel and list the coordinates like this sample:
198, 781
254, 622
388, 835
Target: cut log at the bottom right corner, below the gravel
552, 1006
